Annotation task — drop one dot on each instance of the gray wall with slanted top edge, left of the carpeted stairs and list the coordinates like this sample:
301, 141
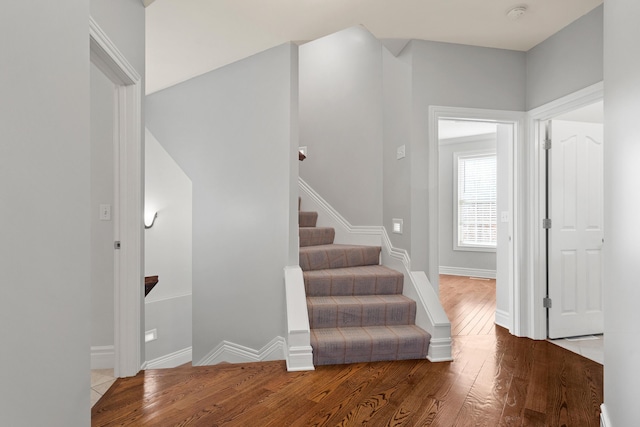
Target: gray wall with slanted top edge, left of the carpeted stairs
233, 133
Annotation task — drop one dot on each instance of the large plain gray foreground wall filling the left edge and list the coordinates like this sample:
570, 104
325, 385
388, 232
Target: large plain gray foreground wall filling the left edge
45, 314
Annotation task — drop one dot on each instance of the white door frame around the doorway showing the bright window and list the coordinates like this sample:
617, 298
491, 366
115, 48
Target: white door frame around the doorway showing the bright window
517, 119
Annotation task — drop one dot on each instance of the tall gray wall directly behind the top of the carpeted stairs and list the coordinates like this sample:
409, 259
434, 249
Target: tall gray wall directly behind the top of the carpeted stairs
341, 122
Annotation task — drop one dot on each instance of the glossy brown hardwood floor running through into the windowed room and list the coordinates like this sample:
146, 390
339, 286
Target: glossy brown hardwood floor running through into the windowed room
495, 380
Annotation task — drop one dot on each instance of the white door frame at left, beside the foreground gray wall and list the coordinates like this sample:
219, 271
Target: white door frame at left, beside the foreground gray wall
128, 201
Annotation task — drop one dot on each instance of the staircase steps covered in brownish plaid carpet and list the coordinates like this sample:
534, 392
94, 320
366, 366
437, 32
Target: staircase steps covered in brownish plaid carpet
357, 312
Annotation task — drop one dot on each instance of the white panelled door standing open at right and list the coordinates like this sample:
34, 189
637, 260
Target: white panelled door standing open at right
576, 234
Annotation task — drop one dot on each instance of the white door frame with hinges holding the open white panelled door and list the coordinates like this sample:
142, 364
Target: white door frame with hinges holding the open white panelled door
536, 119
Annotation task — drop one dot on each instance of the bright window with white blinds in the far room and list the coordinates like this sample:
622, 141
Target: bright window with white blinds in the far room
475, 202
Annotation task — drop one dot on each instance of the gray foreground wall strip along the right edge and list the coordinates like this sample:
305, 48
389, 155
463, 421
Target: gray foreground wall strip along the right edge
622, 229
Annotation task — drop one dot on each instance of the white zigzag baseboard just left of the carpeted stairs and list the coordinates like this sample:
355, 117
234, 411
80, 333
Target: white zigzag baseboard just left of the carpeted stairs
235, 353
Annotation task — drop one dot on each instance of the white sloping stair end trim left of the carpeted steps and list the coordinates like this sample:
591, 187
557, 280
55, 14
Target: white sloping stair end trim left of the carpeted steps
299, 351
